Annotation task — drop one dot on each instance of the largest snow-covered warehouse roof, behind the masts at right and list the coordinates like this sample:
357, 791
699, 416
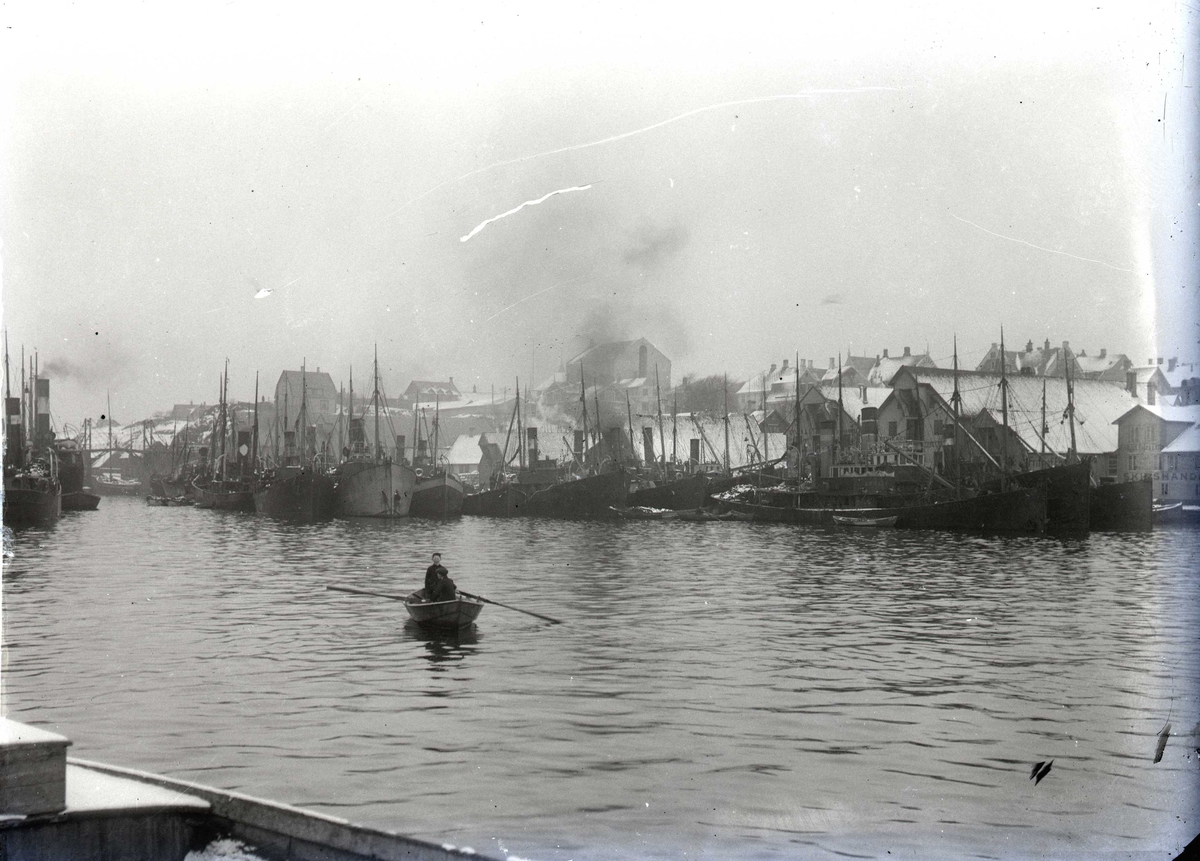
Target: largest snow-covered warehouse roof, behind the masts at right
1097, 407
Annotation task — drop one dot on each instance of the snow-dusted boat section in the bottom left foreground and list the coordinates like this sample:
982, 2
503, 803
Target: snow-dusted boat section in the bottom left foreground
62, 808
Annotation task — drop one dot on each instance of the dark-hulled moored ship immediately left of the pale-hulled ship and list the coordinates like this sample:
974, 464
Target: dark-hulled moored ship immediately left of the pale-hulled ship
299, 489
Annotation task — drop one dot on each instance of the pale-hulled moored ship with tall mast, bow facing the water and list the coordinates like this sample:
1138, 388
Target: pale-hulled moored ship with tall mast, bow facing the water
370, 484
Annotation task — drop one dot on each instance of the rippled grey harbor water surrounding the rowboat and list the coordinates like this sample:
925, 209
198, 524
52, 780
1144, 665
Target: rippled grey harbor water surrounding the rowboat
717, 690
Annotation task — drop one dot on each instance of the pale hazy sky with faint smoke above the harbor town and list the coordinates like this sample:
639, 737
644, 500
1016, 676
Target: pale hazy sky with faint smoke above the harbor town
481, 192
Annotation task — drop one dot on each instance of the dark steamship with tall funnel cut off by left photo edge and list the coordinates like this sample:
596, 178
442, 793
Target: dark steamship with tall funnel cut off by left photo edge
33, 495
